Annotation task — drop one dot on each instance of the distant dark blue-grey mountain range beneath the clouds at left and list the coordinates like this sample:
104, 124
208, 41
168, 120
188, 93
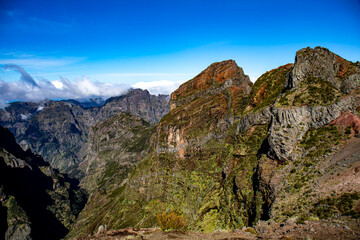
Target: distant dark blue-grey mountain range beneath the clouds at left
59, 130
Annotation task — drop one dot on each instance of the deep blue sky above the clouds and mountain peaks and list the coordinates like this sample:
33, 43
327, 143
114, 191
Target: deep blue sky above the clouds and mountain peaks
139, 41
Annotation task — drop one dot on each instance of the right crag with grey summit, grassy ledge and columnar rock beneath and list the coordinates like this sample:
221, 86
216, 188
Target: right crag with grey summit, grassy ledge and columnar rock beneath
289, 125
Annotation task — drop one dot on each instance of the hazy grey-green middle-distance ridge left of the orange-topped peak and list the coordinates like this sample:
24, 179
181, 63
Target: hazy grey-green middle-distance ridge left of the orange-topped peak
115, 147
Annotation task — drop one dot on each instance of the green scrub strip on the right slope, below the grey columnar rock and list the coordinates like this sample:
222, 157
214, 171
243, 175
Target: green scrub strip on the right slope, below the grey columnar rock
298, 196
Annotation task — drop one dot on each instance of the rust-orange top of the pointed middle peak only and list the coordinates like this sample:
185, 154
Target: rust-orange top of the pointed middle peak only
214, 79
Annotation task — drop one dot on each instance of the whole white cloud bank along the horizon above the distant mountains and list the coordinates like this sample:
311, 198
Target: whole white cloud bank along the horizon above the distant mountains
27, 89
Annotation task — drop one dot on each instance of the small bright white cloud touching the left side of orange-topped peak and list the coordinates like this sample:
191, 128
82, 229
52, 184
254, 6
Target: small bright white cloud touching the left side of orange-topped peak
158, 87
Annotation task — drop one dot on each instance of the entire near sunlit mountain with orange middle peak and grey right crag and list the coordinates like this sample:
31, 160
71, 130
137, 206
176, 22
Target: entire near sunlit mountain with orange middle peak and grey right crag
277, 155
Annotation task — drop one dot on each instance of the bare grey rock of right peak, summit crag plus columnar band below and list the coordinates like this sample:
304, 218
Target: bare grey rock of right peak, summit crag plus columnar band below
288, 124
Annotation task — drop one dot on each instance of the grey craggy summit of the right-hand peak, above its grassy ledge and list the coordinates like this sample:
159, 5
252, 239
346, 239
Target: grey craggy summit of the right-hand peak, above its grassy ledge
325, 65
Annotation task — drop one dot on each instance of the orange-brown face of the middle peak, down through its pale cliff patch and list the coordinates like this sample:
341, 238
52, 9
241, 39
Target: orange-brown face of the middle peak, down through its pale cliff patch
202, 105
